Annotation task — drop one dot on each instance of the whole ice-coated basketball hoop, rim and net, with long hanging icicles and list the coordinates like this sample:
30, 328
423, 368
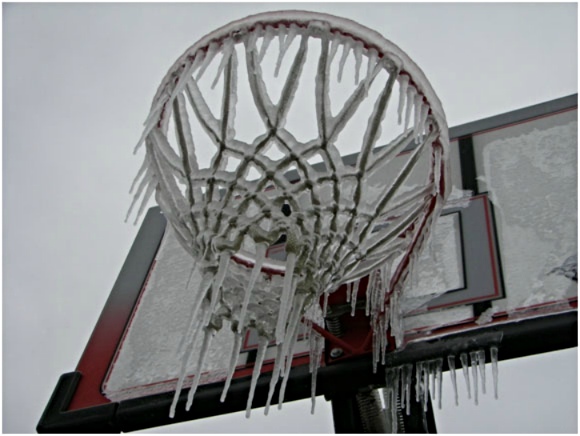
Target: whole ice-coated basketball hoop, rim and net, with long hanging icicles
245, 150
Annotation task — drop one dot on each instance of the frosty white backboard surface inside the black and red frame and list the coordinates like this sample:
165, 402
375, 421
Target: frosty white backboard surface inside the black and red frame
508, 252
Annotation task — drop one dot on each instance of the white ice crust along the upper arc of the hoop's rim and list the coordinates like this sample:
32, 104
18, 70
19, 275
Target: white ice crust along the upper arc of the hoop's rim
348, 28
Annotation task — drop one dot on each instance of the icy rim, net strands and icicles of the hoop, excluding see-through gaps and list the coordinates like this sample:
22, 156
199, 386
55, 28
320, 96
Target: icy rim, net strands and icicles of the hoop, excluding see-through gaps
331, 241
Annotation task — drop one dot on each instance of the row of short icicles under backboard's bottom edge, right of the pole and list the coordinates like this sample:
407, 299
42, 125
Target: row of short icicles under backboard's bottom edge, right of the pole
428, 380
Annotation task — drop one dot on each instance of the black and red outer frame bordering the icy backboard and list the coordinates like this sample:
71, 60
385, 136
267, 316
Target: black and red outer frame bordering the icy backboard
78, 404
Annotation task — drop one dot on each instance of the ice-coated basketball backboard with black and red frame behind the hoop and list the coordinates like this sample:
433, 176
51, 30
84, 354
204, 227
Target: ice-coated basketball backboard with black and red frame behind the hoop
501, 271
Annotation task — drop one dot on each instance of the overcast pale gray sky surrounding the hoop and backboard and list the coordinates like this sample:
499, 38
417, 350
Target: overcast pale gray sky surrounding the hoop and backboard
78, 80
